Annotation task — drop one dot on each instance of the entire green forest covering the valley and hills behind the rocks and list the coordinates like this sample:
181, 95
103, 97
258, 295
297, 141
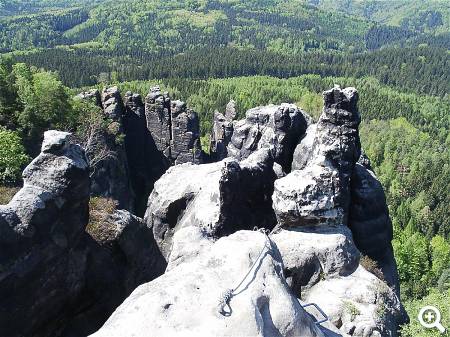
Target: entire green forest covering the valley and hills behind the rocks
396, 53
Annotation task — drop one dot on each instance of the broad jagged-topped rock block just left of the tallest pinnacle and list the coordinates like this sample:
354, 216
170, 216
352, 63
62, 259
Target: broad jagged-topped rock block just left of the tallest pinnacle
276, 127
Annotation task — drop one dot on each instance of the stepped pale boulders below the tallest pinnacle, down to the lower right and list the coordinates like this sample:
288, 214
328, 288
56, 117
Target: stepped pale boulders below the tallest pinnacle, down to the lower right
322, 267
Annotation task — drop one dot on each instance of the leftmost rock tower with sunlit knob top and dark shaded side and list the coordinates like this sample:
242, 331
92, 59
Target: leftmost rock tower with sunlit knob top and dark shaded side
43, 264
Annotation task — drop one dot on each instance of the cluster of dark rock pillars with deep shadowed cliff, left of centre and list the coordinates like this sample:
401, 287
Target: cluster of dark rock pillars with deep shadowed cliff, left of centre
157, 134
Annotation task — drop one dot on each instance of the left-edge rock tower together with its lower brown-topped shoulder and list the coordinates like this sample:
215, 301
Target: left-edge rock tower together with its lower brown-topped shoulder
55, 280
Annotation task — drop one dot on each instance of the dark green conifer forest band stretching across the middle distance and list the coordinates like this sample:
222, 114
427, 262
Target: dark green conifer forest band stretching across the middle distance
423, 70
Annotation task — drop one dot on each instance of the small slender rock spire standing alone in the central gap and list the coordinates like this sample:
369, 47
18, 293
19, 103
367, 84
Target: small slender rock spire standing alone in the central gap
222, 132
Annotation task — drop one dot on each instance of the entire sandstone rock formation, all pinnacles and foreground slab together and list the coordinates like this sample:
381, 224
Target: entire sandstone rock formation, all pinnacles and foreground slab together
63, 274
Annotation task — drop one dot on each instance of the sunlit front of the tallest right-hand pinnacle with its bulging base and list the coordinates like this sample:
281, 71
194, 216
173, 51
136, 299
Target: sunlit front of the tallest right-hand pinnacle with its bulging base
320, 192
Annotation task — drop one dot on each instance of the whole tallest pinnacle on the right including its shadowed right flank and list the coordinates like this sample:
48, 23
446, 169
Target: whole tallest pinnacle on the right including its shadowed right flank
352, 195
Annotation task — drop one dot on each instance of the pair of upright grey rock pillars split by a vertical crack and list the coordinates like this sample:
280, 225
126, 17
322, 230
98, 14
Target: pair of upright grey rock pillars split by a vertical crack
174, 128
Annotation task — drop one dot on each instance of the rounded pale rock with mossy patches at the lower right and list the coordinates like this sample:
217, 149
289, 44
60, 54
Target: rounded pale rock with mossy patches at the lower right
359, 304
